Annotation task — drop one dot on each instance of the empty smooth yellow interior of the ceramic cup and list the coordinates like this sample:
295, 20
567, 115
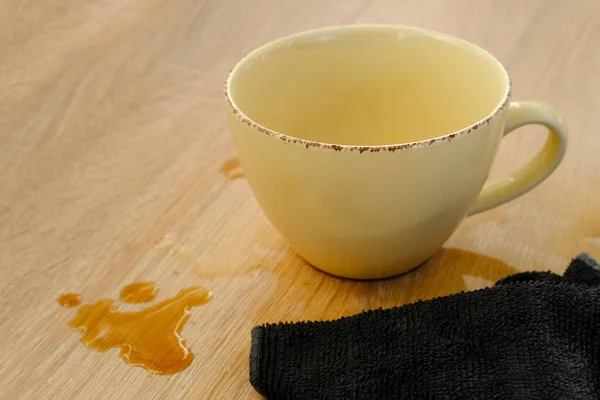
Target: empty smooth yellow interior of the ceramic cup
368, 85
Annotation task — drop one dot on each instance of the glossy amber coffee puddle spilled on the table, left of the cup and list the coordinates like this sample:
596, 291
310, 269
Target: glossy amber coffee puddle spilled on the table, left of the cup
149, 338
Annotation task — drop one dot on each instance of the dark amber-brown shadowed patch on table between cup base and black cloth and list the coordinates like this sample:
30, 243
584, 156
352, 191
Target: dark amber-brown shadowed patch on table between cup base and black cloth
305, 293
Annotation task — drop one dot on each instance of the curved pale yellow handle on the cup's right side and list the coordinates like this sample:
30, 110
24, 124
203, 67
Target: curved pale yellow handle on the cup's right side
507, 188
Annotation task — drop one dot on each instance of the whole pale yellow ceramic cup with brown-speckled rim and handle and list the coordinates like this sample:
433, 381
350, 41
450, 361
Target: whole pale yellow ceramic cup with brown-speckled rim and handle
367, 145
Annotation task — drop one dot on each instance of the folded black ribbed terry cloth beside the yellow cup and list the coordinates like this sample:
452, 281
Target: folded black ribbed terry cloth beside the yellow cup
534, 335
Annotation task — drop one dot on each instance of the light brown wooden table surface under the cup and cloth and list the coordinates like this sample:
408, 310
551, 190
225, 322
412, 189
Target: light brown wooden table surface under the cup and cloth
116, 166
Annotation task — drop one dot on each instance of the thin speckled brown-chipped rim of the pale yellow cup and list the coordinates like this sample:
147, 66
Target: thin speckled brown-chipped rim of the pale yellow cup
366, 148
